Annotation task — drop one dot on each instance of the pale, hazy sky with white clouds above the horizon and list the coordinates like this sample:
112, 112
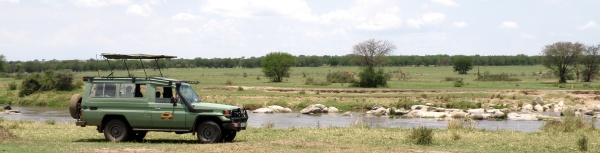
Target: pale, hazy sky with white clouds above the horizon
83, 29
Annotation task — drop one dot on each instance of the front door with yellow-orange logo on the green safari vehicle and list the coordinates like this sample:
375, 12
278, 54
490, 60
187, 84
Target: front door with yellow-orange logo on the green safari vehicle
166, 115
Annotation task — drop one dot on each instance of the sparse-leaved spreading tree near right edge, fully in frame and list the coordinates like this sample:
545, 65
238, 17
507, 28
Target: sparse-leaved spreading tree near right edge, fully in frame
561, 56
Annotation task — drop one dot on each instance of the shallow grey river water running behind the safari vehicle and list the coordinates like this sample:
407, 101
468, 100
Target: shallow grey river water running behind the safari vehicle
289, 120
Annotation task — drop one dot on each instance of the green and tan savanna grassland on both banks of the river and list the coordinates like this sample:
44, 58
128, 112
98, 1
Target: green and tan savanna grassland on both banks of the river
250, 89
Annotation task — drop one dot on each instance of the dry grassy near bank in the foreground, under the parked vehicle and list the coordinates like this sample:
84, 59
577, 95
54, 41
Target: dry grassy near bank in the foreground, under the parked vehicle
28, 136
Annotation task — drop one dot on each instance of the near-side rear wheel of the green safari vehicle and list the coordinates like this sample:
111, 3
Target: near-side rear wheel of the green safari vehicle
116, 130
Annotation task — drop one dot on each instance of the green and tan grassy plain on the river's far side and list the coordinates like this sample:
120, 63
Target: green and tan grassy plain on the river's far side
420, 84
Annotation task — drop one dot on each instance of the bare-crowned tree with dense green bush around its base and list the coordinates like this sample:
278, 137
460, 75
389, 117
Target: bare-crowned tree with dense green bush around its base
371, 54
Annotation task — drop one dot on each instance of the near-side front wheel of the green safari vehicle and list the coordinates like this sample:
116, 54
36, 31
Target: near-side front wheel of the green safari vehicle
208, 132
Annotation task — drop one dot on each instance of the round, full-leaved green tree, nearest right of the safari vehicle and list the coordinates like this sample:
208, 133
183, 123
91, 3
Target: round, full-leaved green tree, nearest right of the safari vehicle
277, 65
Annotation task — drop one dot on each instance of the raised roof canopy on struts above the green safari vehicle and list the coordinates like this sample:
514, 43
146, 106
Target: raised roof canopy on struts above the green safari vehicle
125, 57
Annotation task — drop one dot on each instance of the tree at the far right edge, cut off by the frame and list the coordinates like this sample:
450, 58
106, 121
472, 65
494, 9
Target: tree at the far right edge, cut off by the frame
590, 60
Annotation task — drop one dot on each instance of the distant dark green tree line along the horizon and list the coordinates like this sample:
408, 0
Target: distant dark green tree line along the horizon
255, 62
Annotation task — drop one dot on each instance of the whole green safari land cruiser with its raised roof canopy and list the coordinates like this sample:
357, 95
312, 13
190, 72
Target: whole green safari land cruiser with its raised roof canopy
126, 108
